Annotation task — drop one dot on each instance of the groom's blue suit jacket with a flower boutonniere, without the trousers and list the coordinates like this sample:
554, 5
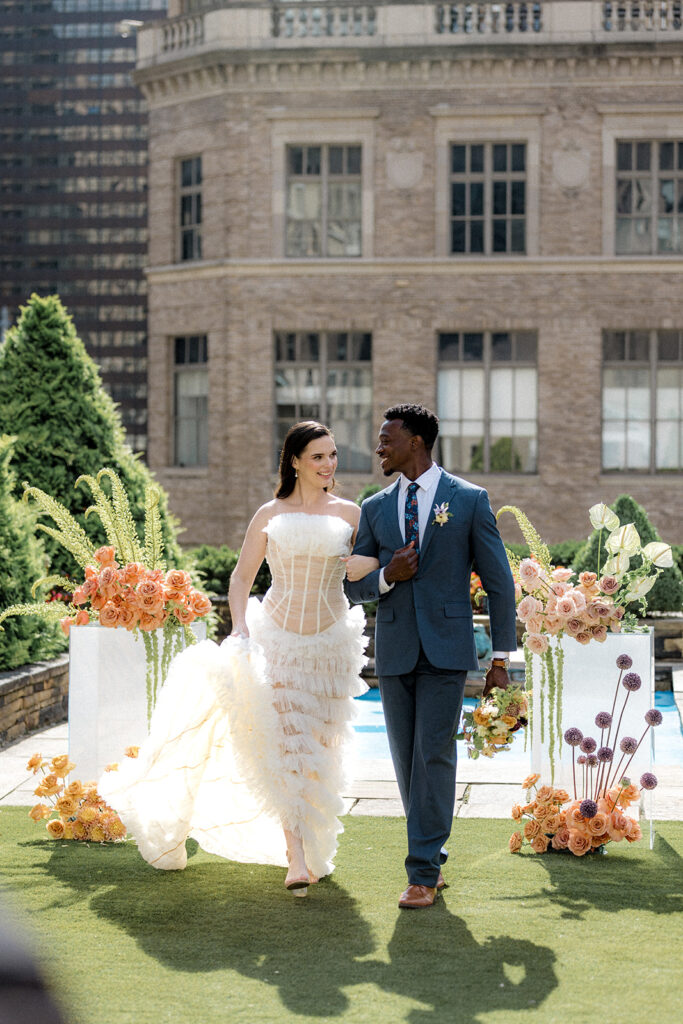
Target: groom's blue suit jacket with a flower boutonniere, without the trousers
434, 609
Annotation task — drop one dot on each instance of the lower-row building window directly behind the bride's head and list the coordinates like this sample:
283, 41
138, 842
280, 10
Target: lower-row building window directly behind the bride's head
328, 376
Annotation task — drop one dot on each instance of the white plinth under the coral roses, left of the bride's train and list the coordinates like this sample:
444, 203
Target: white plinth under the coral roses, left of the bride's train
108, 702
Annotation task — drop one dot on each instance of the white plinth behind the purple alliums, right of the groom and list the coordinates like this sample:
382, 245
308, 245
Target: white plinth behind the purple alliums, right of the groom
589, 682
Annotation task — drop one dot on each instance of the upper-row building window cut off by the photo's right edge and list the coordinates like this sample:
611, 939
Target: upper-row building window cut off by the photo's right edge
650, 198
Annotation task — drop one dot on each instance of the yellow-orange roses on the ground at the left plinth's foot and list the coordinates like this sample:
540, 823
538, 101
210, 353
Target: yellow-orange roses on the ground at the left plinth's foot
76, 809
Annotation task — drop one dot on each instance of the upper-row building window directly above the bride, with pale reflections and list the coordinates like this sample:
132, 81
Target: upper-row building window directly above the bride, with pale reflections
323, 201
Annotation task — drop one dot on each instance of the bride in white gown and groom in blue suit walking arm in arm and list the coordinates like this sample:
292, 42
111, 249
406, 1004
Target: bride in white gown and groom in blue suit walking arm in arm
245, 751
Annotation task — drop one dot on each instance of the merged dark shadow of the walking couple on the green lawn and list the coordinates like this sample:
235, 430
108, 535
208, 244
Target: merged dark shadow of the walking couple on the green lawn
223, 916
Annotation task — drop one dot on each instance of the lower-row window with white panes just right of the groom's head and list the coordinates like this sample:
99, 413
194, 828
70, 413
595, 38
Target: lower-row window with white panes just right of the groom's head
487, 393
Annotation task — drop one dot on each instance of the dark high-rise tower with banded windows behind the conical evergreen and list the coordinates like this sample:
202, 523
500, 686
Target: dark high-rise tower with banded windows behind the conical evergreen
73, 179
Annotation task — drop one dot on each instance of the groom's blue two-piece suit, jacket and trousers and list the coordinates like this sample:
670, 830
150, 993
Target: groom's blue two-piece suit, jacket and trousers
424, 645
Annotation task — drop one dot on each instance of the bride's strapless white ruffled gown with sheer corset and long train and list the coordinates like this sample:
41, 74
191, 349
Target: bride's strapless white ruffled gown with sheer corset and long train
248, 737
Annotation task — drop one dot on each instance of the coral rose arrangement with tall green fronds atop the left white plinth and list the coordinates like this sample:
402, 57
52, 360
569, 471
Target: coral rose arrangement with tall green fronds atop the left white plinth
126, 583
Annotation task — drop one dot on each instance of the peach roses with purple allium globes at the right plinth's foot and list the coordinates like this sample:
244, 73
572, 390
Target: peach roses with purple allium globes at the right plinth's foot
603, 794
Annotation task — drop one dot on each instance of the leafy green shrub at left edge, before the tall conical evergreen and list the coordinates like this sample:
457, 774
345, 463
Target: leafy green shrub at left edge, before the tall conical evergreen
22, 561
